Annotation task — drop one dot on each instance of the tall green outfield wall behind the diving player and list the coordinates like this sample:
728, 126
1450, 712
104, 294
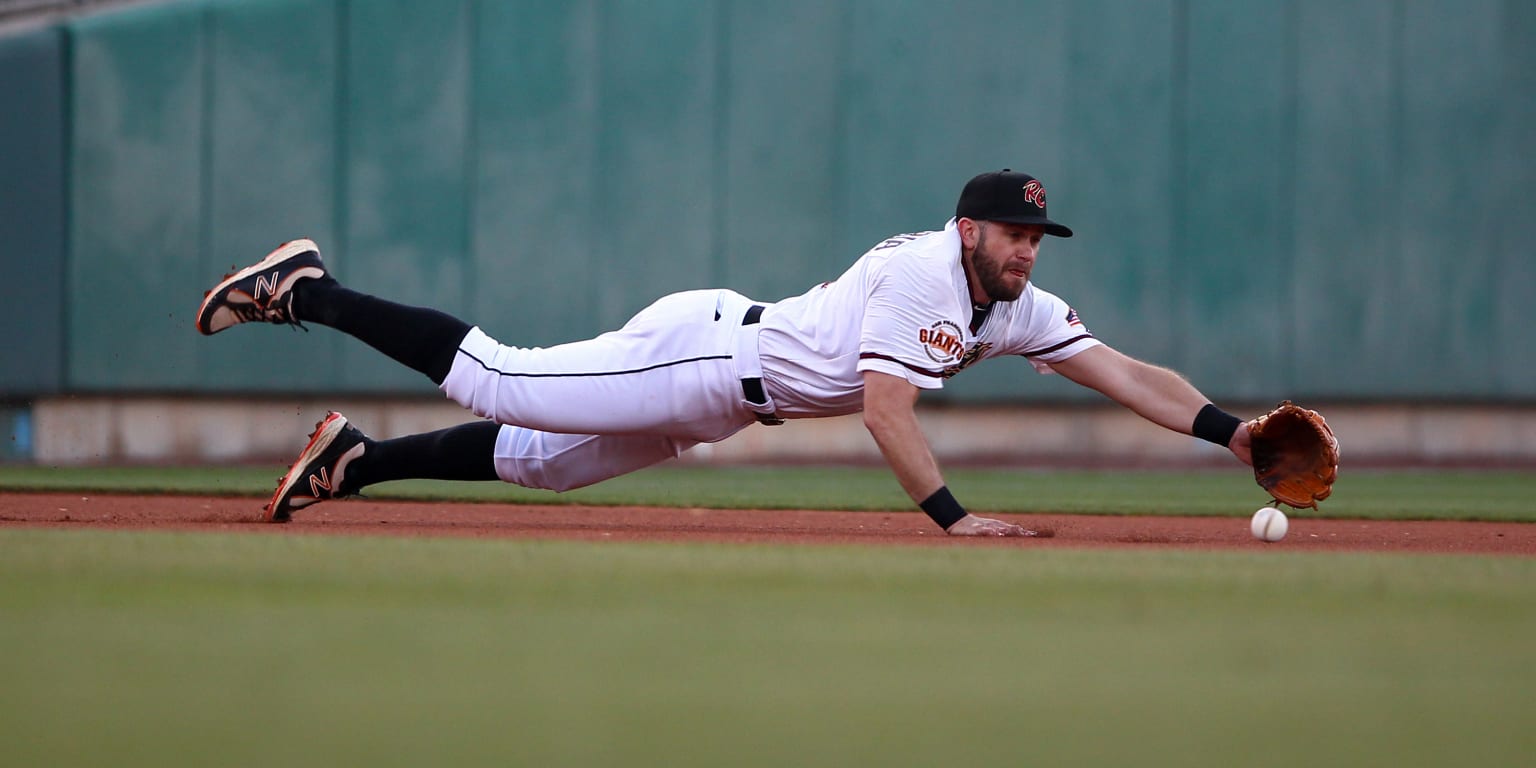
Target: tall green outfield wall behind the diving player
1280, 199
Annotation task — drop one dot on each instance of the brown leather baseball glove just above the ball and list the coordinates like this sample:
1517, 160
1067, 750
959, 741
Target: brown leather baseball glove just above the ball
1296, 455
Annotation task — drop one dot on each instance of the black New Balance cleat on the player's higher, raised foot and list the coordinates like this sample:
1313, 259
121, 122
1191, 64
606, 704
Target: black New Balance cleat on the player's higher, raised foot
262, 293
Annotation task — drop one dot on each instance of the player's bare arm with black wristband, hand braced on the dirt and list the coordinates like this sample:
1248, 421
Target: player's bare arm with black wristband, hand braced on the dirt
892, 420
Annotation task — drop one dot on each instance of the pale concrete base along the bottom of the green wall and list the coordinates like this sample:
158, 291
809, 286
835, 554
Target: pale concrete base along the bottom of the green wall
182, 431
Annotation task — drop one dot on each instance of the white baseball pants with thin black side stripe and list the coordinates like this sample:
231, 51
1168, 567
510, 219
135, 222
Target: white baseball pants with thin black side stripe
589, 411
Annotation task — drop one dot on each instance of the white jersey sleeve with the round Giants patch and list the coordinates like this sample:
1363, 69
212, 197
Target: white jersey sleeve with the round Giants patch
909, 325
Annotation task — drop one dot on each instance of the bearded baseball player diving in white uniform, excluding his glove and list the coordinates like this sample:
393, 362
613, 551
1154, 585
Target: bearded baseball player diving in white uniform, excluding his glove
700, 366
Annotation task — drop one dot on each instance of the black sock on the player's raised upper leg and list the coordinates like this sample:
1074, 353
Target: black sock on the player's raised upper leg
420, 339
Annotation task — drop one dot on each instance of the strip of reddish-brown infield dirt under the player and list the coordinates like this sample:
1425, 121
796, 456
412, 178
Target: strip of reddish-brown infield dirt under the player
400, 518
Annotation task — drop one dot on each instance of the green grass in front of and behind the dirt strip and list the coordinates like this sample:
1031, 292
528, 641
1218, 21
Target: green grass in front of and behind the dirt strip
205, 649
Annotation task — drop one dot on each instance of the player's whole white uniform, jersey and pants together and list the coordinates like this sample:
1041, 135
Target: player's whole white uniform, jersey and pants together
674, 376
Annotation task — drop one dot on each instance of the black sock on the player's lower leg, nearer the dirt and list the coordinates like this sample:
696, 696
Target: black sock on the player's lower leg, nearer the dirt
466, 454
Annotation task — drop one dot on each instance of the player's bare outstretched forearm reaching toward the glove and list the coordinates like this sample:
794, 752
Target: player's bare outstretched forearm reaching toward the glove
1156, 394
